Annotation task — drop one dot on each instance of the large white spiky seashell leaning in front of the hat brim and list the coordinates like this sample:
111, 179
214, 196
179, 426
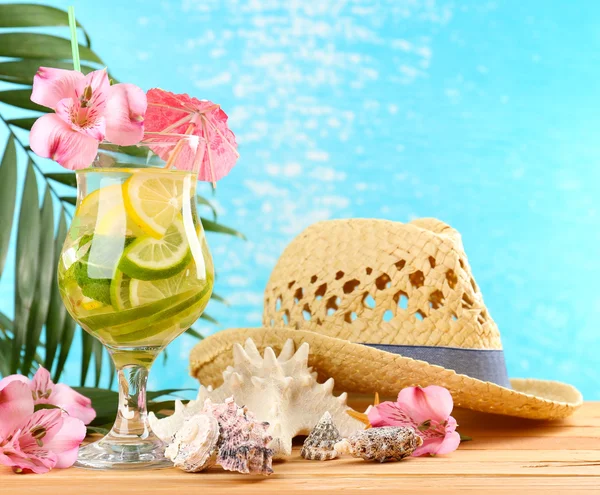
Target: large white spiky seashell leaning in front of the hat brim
281, 390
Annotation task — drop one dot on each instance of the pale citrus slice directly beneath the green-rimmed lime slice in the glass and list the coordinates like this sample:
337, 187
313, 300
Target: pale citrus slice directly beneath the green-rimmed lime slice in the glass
149, 291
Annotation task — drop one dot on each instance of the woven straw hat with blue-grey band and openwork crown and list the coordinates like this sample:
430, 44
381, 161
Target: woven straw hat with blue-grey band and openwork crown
385, 305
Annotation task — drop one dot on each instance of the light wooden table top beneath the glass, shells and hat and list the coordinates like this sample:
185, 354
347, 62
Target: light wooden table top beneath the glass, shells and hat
506, 455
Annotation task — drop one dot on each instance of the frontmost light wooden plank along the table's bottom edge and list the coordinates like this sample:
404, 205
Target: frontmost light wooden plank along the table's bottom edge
218, 484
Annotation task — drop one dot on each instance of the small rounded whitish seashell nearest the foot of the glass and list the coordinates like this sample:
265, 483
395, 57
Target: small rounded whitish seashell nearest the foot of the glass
193, 447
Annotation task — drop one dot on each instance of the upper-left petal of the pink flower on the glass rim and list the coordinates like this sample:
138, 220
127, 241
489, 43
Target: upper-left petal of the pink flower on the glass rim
52, 85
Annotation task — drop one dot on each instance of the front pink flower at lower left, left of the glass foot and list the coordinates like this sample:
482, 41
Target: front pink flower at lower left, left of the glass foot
35, 441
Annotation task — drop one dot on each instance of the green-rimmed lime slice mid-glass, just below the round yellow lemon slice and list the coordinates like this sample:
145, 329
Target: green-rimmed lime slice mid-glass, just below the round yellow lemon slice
148, 258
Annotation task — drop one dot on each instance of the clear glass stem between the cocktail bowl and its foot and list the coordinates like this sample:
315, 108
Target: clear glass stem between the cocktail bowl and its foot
132, 416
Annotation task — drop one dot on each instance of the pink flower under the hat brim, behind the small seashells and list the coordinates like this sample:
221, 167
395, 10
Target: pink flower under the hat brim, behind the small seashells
426, 410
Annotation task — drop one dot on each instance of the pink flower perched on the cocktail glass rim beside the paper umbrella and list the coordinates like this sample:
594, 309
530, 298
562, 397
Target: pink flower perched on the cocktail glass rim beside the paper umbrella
88, 109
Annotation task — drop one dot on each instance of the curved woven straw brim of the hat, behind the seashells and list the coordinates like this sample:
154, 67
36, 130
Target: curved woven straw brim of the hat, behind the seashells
360, 369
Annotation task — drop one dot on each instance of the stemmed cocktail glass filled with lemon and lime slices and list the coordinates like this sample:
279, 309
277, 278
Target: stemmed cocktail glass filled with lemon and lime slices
135, 272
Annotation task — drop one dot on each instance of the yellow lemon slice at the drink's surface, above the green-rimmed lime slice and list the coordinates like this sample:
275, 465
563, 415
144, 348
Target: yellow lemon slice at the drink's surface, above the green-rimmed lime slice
153, 201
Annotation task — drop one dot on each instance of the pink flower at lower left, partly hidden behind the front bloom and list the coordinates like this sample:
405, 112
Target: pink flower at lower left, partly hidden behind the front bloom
44, 391
